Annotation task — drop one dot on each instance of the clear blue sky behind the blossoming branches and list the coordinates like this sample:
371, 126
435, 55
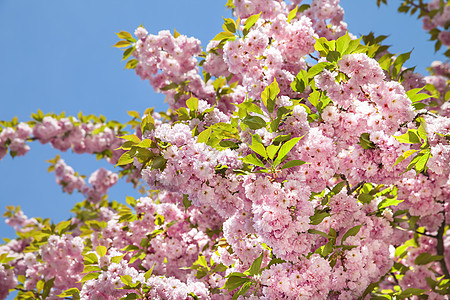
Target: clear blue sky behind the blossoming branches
56, 55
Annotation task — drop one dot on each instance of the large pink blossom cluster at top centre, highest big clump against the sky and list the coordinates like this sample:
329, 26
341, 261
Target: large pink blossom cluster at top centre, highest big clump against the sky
258, 62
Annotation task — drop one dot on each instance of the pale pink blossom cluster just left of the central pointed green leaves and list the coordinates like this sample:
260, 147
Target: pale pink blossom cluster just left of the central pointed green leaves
190, 170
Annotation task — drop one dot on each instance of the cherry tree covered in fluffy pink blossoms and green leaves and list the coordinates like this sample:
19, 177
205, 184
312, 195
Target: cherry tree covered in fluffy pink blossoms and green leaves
296, 161
